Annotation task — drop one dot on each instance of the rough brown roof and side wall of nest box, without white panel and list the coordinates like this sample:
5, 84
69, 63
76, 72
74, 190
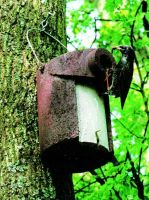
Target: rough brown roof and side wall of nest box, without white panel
57, 105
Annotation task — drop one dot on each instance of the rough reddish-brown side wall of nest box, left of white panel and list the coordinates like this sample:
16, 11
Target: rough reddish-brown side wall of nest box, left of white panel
56, 109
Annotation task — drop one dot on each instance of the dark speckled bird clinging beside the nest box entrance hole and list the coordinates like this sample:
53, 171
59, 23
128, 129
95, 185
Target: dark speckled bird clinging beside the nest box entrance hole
122, 73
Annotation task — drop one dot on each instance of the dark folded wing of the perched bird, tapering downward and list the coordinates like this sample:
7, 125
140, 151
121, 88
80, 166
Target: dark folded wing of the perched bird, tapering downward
125, 81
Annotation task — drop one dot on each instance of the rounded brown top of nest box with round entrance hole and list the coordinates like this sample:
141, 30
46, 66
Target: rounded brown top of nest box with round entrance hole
88, 63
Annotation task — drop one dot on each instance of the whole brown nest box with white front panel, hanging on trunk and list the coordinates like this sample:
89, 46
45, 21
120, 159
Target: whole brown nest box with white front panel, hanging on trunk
73, 110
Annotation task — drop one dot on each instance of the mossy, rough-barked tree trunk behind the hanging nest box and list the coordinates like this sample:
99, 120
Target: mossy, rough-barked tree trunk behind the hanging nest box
22, 45
